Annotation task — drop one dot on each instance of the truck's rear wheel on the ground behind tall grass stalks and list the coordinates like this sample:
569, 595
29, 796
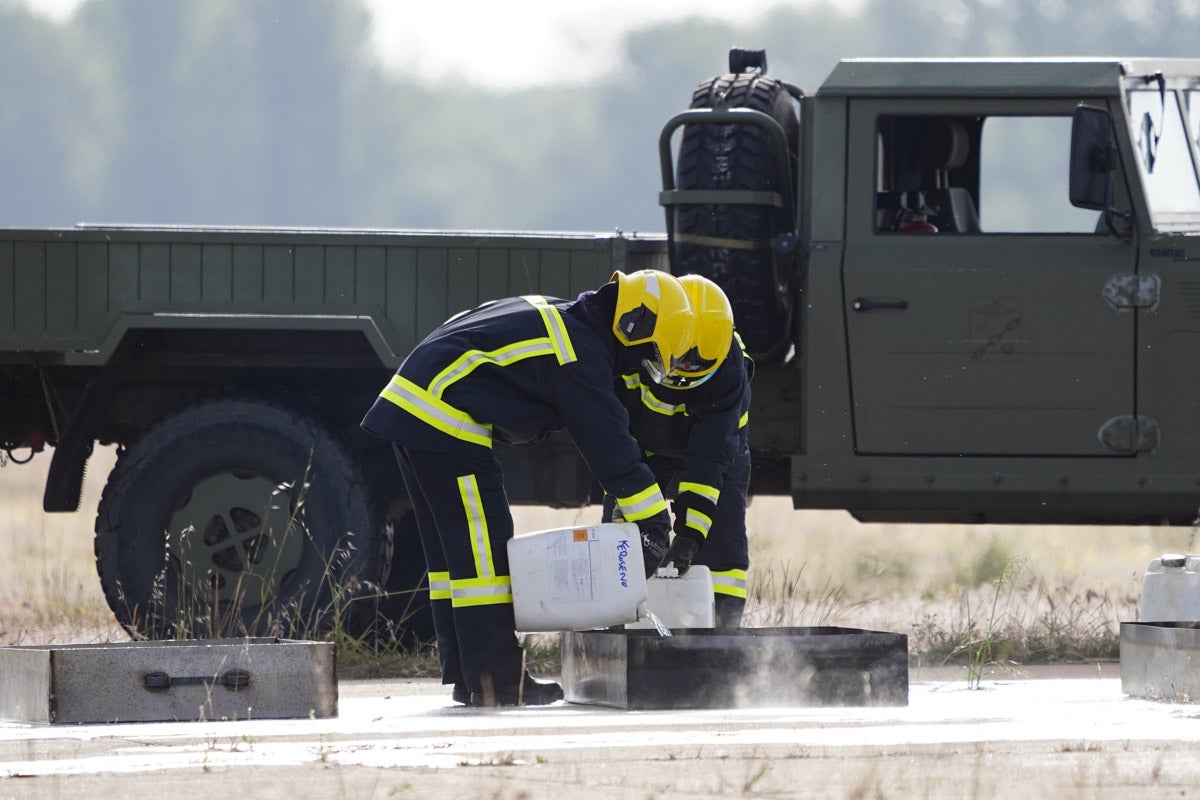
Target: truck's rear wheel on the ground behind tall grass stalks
237, 518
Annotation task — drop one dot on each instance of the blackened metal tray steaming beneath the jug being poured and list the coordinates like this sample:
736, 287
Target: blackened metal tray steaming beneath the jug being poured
703, 669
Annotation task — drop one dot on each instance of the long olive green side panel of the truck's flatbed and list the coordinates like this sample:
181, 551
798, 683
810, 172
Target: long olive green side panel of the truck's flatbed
74, 296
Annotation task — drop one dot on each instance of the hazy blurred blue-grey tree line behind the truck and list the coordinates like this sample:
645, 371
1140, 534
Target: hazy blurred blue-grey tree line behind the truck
279, 113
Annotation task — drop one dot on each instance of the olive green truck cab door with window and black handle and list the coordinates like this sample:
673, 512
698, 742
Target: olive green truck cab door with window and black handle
985, 314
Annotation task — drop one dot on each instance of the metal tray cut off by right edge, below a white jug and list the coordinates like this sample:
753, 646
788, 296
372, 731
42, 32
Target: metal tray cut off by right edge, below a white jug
1161, 661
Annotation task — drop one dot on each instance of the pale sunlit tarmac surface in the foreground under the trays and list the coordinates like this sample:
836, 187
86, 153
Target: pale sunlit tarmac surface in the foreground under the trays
1043, 733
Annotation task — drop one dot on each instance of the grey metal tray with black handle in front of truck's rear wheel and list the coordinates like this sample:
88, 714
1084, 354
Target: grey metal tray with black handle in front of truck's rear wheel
155, 682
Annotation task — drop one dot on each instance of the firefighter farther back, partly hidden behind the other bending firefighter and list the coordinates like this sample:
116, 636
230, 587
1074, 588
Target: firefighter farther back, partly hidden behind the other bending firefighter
693, 429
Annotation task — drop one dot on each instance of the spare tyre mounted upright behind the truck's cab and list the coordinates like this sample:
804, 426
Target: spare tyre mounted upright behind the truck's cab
733, 244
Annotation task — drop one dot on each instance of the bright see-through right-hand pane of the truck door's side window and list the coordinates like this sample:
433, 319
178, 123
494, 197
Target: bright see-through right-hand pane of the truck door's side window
1023, 177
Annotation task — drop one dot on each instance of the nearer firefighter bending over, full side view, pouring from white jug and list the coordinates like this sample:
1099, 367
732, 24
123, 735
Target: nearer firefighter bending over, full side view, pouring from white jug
515, 371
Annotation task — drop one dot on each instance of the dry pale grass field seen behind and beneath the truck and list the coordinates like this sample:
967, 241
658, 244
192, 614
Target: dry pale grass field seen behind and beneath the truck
963, 594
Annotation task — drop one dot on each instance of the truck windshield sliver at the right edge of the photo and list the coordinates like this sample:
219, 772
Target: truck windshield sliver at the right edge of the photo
1165, 158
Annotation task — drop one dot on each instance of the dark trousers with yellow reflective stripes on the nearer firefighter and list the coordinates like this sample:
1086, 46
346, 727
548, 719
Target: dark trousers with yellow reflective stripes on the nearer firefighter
465, 525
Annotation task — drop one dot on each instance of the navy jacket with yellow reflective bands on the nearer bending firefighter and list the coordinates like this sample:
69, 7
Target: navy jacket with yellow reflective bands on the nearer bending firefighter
517, 371
